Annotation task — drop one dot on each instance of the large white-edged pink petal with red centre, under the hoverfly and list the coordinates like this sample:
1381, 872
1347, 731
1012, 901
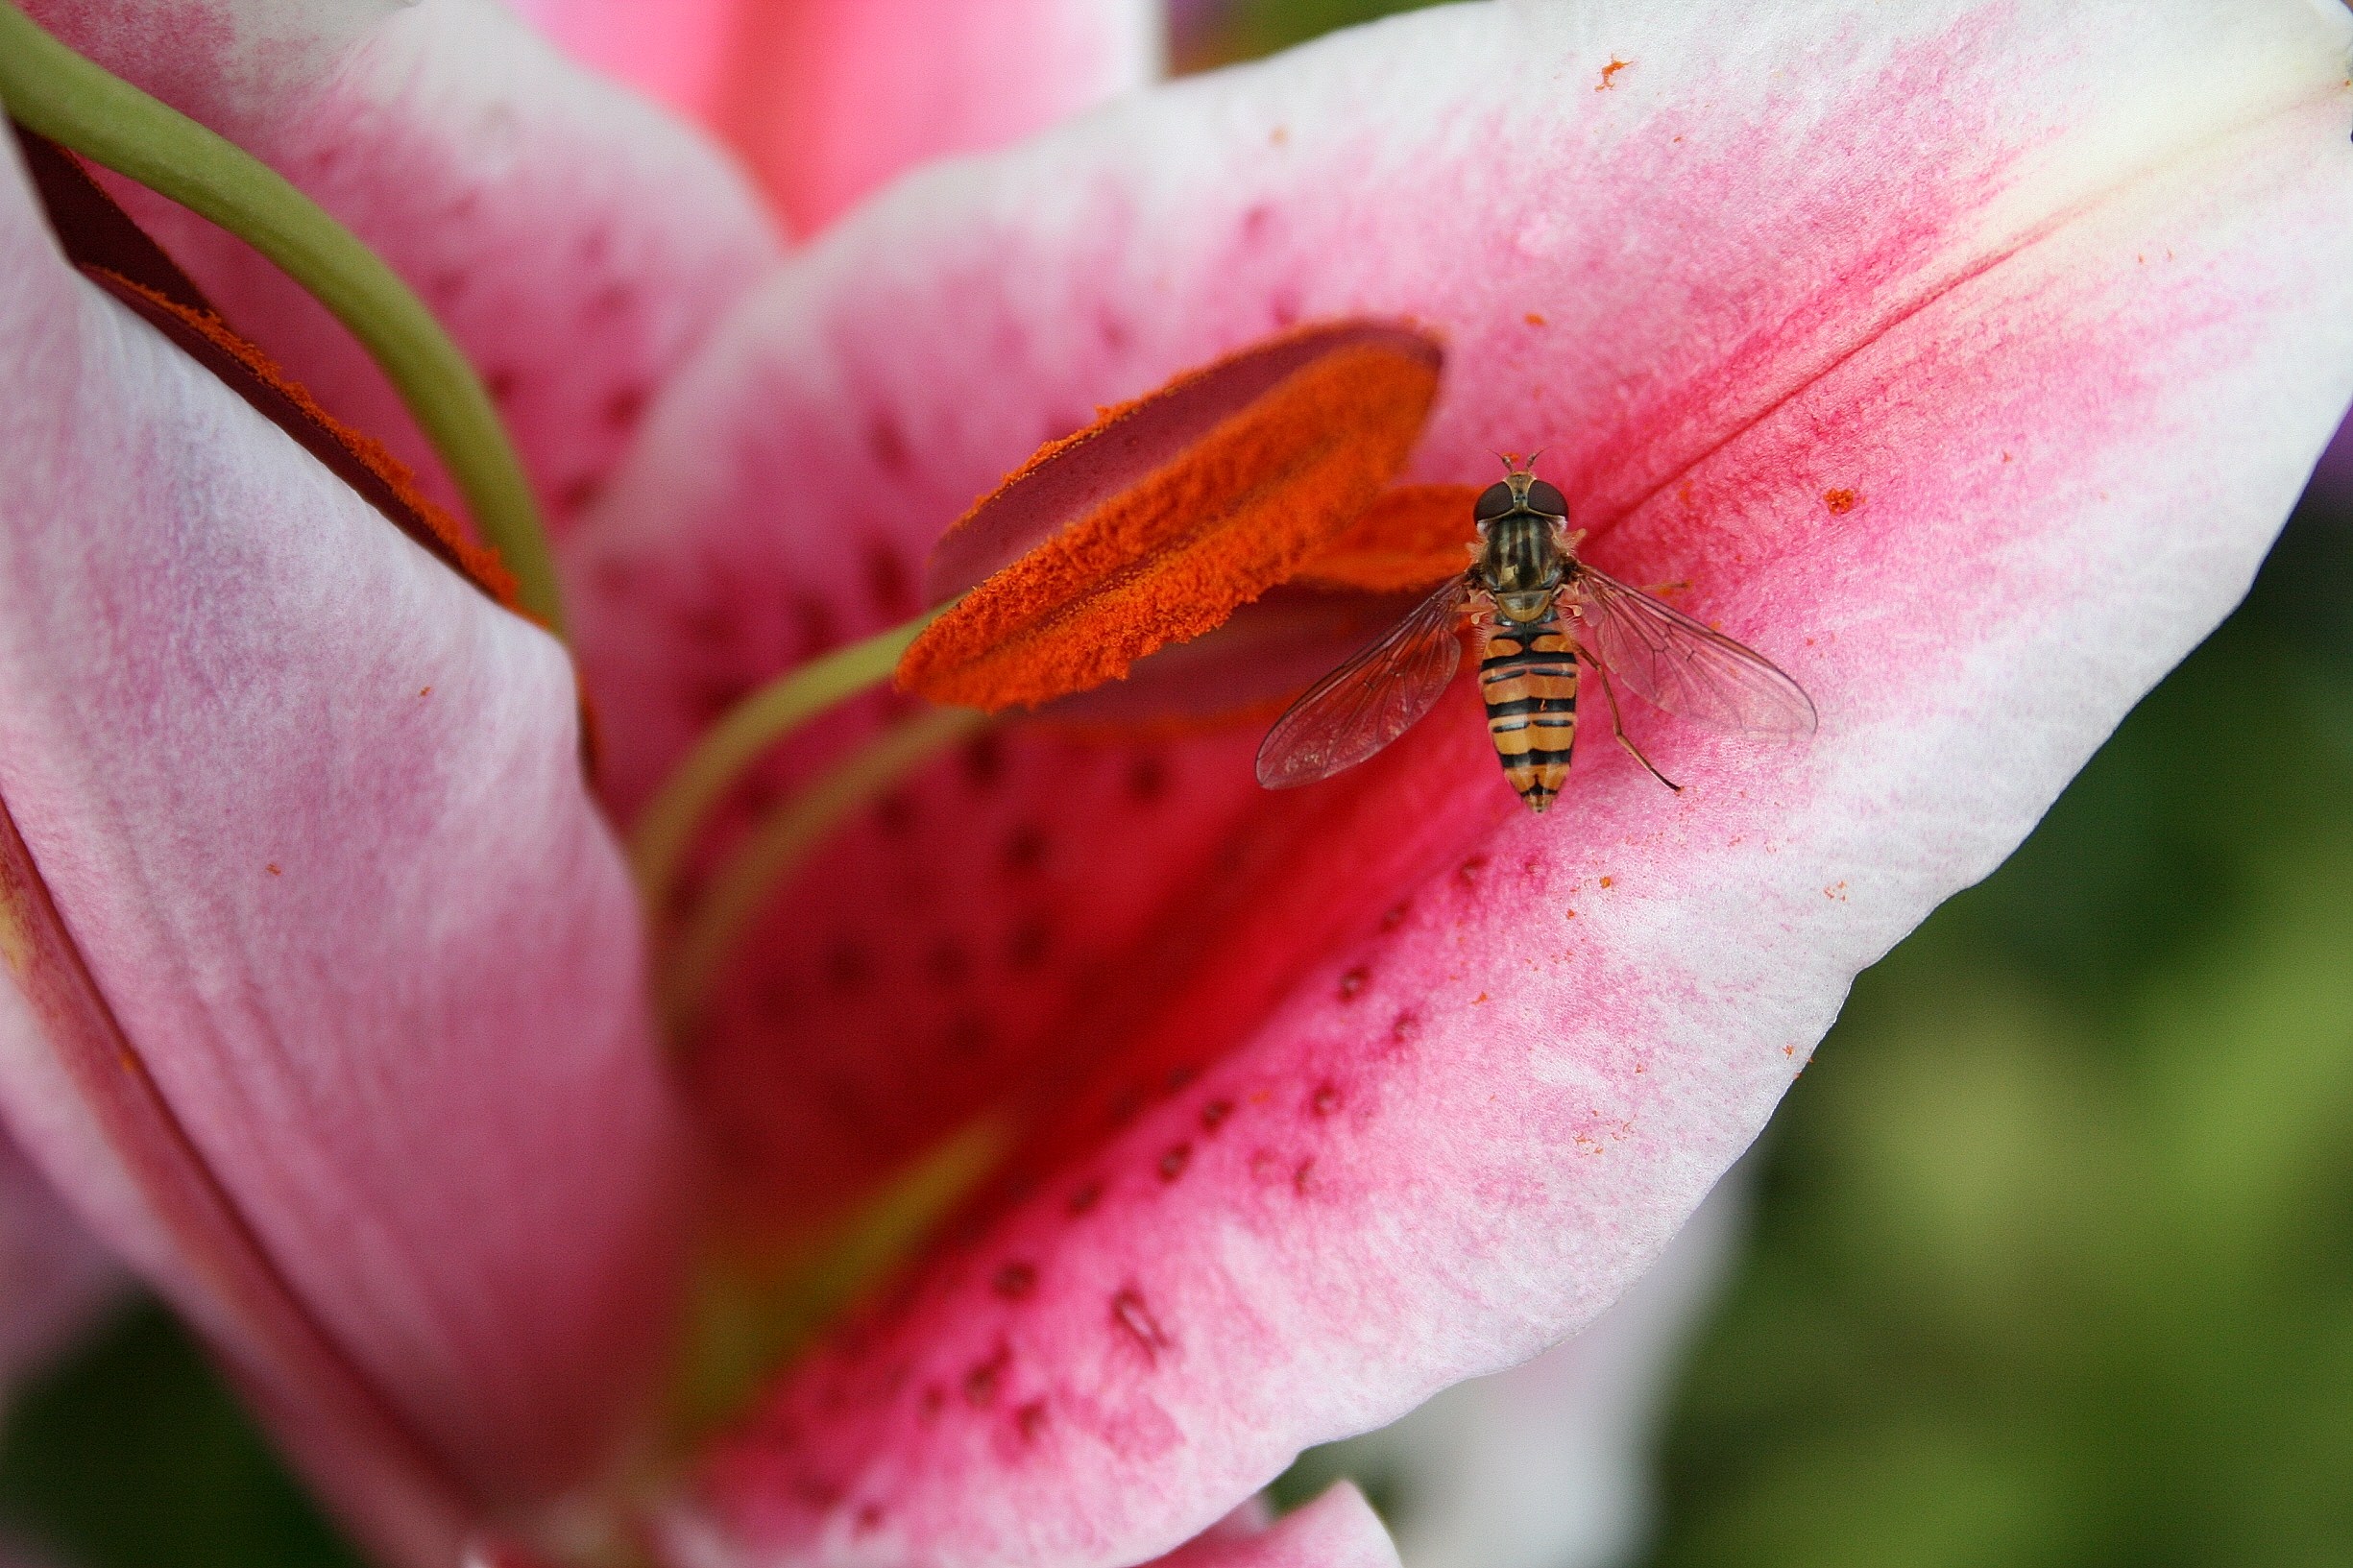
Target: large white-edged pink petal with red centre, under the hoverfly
1959, 356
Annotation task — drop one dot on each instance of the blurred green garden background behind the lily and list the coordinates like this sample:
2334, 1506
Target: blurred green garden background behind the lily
2053, 1259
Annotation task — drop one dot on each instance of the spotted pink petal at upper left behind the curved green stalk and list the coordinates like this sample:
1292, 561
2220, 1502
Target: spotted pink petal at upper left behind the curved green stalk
573, 239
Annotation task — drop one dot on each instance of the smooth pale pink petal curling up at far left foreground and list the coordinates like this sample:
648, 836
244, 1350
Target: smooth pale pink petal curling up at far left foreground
328, 1000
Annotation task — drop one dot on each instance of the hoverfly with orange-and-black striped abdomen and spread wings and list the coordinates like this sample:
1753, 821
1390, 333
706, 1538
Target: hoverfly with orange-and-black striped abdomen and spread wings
1538, 610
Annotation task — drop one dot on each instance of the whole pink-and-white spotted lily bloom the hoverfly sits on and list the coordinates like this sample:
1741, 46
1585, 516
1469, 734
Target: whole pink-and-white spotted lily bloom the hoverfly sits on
1935, 361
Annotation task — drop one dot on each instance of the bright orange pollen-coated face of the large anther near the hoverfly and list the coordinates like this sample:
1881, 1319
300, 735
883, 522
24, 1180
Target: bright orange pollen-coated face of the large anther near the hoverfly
1171, 556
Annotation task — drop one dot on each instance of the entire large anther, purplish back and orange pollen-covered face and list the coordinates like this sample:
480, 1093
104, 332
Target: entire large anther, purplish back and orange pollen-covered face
1159, 521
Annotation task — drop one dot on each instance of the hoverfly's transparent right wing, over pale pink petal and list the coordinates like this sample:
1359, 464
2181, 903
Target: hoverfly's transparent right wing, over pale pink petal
1684, 666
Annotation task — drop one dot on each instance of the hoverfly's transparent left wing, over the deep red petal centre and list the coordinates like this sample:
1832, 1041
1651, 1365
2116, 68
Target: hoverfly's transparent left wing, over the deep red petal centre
1368, 702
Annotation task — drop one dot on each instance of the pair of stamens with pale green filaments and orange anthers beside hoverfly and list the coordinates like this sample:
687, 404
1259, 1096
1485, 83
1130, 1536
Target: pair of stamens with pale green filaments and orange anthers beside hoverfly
1145, 530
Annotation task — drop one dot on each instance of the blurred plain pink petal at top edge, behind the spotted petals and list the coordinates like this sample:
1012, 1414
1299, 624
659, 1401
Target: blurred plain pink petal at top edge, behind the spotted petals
829, 100
